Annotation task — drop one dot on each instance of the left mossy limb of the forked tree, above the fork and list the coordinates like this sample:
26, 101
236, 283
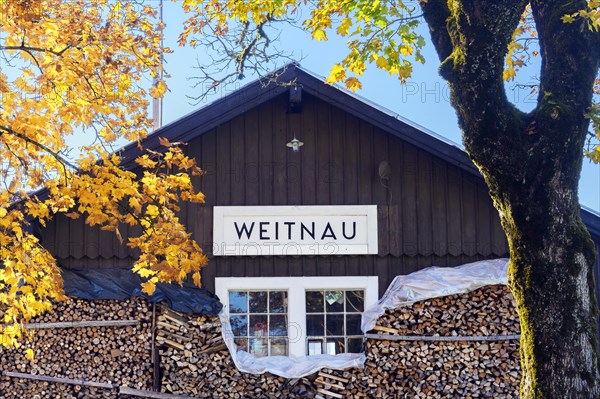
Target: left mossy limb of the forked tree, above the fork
472, 41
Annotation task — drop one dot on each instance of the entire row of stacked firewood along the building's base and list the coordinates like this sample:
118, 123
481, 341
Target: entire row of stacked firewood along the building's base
459, 346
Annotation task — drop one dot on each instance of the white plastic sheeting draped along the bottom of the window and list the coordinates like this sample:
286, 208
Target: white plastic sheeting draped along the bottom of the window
286, 366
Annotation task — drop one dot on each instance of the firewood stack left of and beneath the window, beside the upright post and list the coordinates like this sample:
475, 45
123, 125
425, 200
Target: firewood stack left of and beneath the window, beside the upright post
196, 362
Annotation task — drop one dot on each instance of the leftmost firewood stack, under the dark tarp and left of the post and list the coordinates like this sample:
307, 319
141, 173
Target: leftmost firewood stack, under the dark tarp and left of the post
117, 355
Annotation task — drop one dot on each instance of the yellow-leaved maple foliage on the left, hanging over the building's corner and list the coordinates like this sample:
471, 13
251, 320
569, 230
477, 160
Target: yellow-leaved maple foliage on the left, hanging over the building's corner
83, 67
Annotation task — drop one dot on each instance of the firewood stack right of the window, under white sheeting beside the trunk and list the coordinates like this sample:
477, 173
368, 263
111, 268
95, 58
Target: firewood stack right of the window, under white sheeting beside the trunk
410, 355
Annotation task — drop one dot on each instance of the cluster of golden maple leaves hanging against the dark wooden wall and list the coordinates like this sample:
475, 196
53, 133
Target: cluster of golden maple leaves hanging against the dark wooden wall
149, 200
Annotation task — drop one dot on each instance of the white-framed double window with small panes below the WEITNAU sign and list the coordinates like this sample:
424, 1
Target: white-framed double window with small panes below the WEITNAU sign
297, 315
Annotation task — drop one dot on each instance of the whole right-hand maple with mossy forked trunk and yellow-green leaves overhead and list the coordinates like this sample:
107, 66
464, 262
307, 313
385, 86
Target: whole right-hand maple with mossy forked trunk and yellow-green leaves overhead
531, 162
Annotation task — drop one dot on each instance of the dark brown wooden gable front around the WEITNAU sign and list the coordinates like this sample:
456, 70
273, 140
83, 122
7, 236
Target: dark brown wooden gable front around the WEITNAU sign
433, 208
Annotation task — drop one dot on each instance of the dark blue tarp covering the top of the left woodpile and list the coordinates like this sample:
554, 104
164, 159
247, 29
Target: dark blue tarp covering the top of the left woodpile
121, 284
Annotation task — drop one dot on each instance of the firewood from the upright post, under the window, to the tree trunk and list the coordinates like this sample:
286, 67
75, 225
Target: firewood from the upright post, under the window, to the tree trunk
481, 360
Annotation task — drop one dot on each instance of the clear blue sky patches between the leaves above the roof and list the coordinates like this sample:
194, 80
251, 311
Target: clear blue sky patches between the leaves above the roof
424, 99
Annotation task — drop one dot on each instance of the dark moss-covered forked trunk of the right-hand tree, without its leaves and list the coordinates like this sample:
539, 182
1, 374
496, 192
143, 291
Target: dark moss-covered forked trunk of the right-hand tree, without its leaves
532, 163
